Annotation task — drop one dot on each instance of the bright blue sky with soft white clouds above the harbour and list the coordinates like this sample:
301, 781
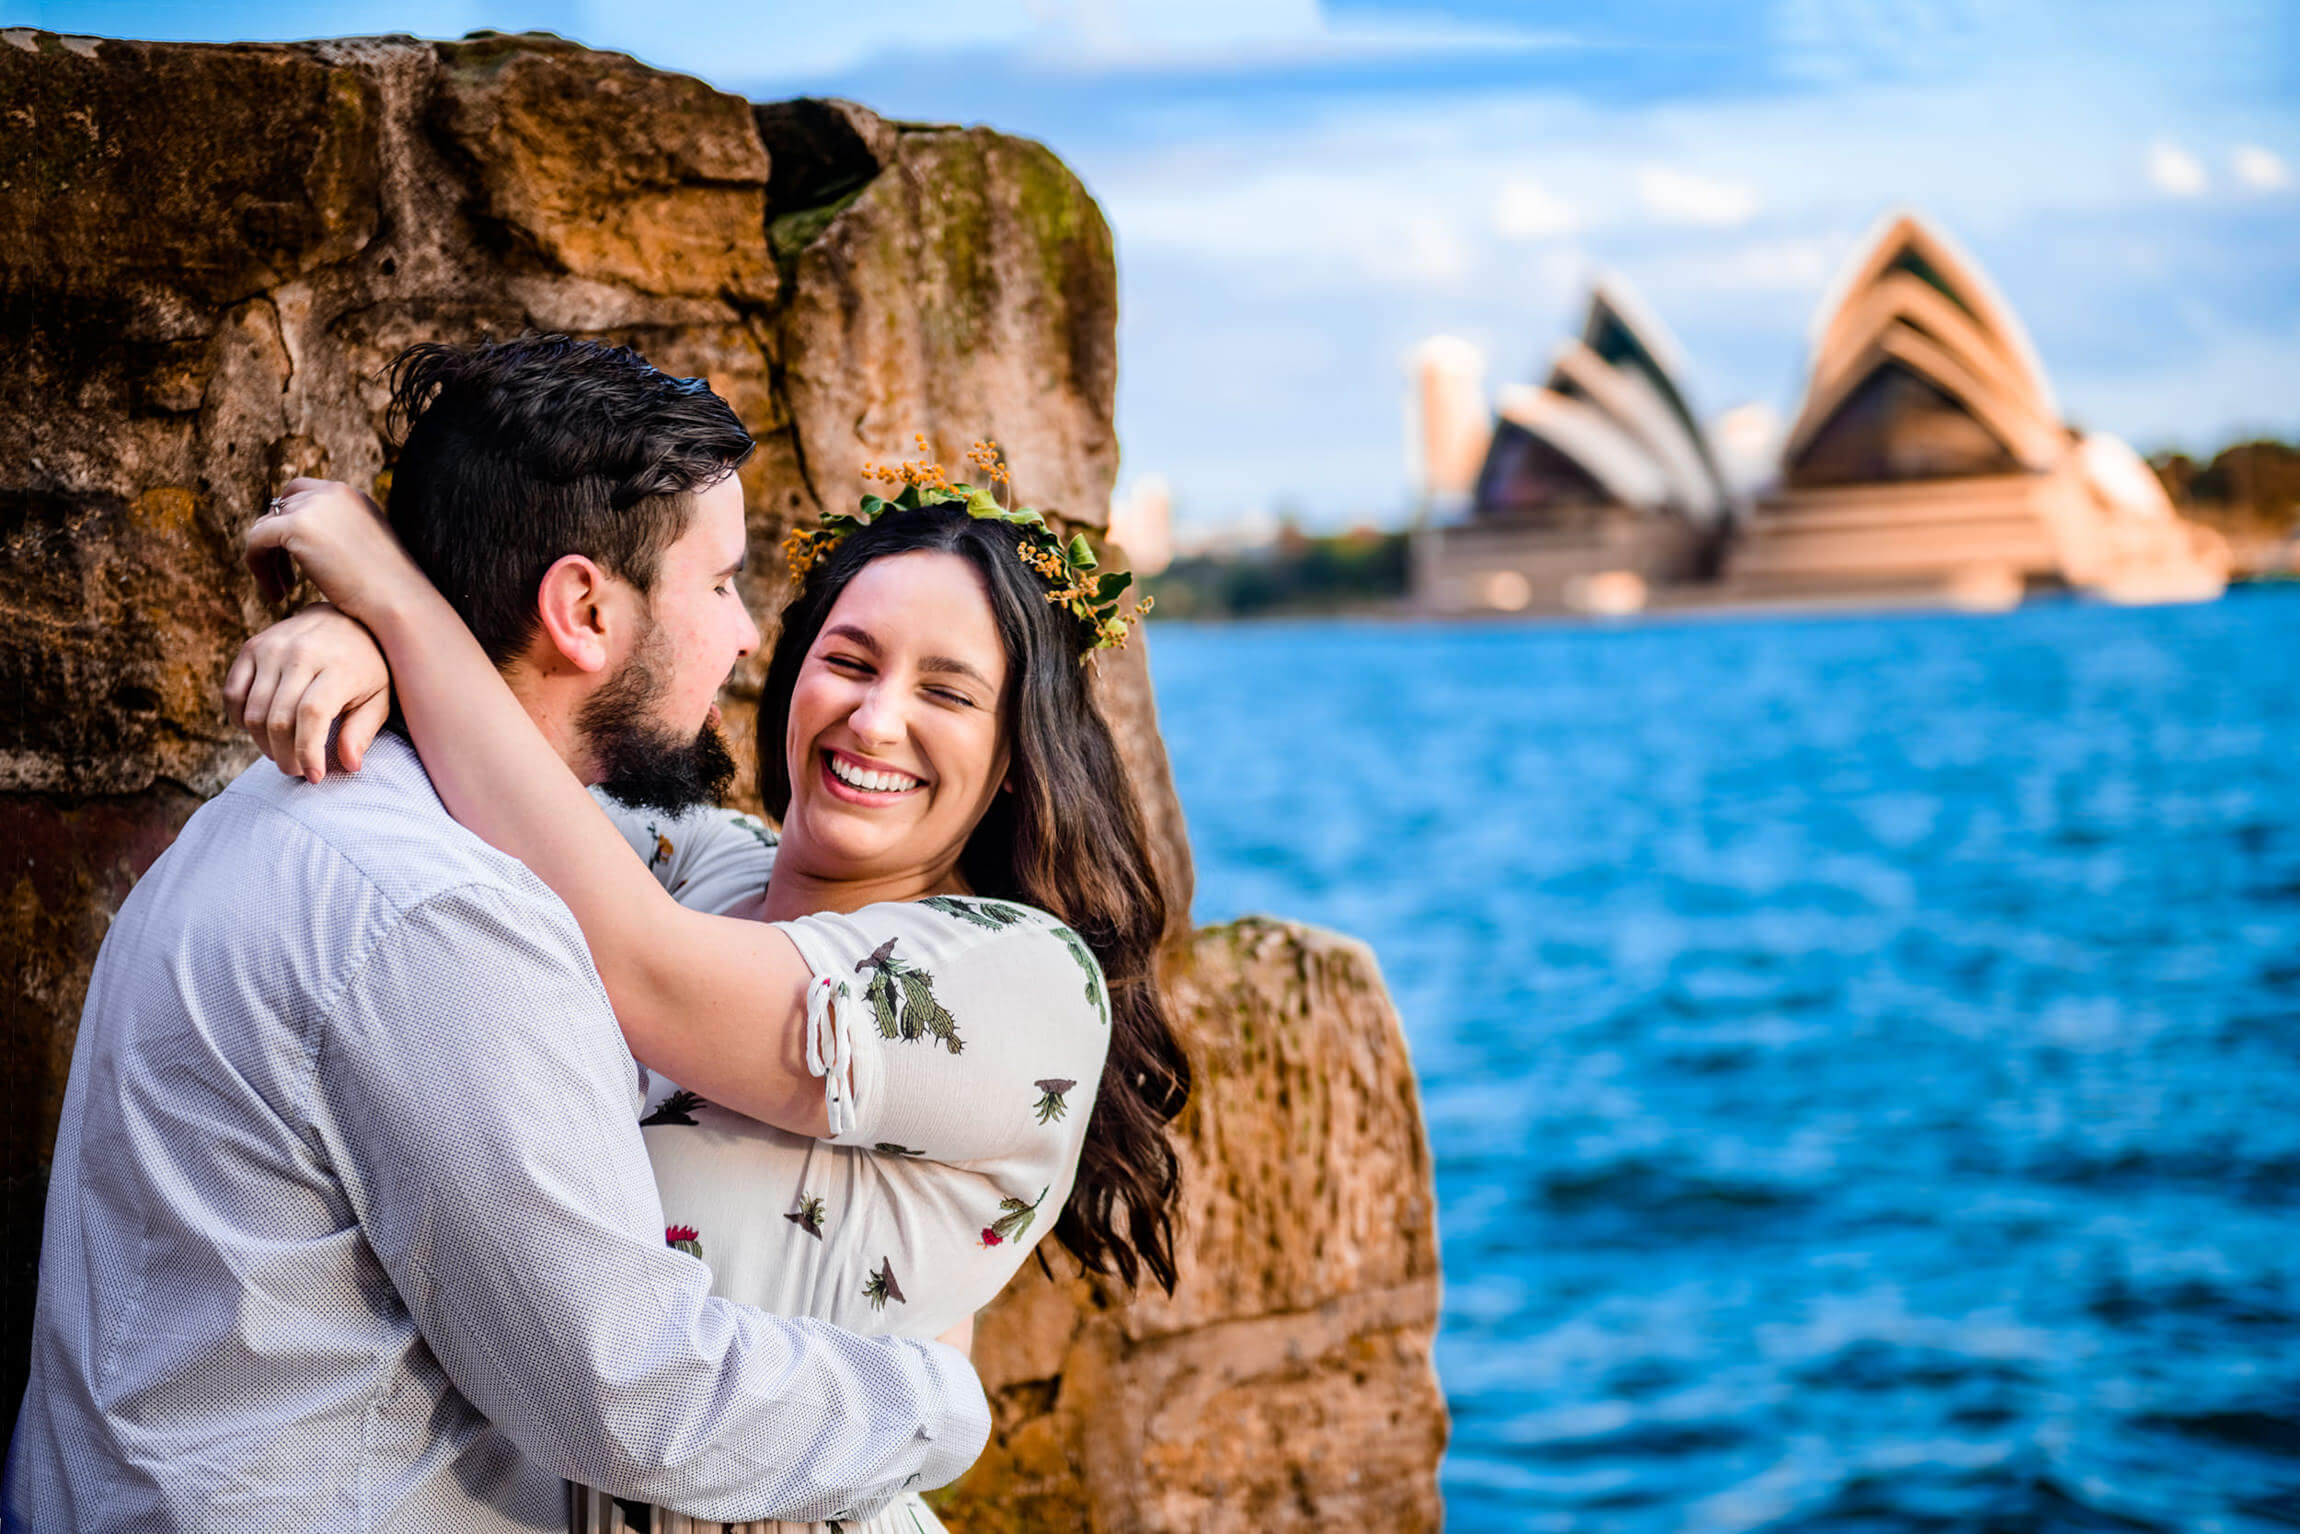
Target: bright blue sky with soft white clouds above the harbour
1303, 192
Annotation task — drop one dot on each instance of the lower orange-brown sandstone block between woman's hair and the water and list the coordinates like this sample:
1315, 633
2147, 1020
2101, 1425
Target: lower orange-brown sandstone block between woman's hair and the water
1287, 1383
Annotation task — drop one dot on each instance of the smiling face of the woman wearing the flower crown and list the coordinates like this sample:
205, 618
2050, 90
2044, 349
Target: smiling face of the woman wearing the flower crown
896, 739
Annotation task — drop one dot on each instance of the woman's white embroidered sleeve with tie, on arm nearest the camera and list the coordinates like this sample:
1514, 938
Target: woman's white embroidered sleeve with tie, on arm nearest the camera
974, 1029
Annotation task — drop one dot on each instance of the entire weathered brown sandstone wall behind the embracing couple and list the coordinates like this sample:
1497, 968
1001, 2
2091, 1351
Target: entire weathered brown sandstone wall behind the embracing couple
210, 256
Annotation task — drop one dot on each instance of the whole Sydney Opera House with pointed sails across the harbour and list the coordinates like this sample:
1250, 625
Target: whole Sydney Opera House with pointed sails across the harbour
1924, 463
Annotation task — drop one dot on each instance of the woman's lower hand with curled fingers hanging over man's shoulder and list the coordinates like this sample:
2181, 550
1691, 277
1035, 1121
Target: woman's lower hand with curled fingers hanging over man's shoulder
298, 677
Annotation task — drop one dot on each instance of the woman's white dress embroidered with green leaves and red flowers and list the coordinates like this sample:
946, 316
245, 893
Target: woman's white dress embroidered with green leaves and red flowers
974, 1031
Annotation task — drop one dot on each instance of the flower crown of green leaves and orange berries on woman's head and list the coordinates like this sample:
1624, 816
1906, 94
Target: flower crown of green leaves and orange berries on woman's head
1068, 569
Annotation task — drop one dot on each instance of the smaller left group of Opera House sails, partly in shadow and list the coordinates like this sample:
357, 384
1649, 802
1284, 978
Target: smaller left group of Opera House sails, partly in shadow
1595, 486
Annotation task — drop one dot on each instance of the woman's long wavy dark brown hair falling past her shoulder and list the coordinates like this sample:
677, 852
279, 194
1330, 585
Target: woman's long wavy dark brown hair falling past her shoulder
1068, 841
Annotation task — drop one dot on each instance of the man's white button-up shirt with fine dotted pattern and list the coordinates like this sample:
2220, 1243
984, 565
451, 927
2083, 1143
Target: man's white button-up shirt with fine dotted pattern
351, 1222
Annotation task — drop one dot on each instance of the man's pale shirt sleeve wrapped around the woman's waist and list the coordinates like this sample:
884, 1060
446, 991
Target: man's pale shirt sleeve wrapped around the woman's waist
477, 1105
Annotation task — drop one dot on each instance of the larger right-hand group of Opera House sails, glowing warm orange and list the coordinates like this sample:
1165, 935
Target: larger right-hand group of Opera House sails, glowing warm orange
1929, 457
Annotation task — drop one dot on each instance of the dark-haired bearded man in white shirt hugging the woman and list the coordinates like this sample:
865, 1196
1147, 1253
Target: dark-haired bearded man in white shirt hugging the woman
351, 1222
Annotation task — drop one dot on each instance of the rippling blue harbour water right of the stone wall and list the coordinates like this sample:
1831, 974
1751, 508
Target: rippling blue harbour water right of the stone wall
1862, 1054
